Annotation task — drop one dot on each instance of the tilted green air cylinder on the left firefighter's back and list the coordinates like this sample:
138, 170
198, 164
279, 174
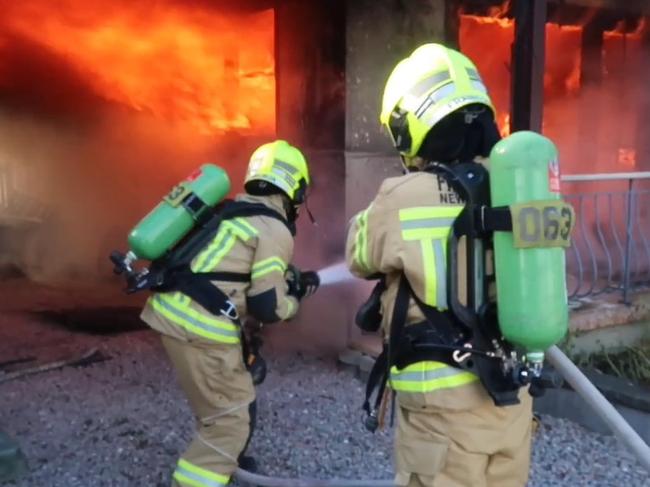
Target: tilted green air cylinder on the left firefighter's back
176, 215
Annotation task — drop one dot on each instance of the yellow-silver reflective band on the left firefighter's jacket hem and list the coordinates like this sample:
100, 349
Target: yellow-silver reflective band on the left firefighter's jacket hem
176, 308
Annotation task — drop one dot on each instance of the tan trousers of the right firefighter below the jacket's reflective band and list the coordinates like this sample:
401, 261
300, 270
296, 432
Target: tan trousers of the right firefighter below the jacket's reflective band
458, 437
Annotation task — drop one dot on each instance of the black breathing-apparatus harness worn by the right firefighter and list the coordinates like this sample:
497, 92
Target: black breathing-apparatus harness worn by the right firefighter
466, 336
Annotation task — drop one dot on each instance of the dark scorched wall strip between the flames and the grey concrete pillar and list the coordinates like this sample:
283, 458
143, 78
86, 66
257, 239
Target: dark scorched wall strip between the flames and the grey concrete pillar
310, 71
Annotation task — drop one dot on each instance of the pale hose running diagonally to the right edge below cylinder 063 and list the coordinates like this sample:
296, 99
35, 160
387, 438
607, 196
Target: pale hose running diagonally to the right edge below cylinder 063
600, 405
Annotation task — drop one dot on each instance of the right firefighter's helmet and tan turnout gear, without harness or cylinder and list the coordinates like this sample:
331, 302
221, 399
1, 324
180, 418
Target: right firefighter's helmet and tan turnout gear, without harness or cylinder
449, 431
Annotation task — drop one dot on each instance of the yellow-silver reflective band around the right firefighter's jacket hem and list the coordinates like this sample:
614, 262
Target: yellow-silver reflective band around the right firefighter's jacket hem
429, 376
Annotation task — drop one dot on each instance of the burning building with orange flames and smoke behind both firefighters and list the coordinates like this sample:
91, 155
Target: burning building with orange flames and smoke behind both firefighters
105, 105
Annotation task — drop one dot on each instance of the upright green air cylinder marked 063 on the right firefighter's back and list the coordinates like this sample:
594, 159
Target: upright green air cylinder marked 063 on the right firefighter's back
530, 260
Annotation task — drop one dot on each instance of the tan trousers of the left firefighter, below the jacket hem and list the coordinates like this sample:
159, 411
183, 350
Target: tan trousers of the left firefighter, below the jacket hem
219, 390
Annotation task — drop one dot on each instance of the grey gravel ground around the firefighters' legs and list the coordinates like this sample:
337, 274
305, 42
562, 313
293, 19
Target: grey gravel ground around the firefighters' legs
123, 422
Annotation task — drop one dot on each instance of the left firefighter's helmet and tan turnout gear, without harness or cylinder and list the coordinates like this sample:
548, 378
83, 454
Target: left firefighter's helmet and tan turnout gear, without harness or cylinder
205, 349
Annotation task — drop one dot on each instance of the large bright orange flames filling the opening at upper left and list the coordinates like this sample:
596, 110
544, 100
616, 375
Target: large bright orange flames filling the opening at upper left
198, 67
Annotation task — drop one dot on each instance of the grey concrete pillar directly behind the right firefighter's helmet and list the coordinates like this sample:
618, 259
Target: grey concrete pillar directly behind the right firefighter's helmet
379, 33
